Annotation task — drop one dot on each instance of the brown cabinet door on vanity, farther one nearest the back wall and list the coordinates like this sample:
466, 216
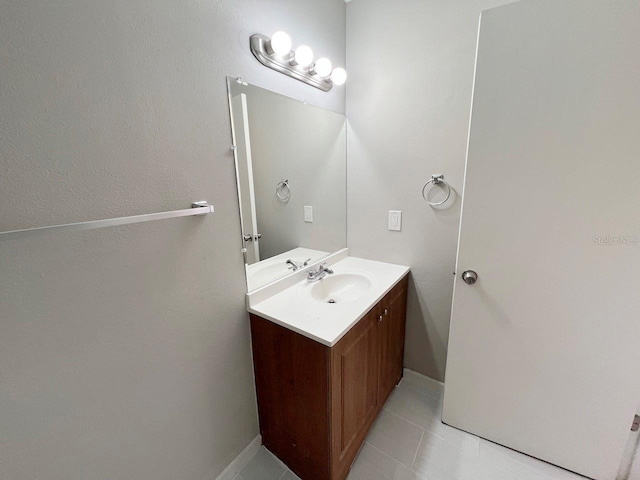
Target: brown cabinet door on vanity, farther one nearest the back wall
391, 333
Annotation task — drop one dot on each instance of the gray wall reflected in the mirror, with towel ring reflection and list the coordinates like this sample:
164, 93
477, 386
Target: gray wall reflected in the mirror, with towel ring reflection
306, 145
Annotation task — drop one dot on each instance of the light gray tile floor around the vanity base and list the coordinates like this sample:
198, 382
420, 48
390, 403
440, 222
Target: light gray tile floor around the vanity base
409, 442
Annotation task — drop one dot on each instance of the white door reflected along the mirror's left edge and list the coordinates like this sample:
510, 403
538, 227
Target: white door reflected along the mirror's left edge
244, 175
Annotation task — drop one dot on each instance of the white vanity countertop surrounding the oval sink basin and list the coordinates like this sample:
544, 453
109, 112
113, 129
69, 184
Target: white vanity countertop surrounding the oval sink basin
327, 323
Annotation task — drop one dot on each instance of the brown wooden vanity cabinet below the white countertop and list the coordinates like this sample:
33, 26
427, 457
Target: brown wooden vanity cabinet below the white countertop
317, 403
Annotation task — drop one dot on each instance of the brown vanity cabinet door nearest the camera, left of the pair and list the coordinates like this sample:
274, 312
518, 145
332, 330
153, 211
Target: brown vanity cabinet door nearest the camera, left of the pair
354, 392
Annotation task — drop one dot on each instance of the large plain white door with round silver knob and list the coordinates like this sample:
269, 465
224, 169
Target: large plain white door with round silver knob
544, 349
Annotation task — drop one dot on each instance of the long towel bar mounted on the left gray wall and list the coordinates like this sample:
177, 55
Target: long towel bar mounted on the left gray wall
197, 208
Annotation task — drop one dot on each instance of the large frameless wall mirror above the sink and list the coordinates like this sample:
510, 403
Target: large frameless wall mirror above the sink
291, 166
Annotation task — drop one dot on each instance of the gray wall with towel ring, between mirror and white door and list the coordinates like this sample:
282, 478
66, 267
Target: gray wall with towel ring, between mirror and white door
410, 65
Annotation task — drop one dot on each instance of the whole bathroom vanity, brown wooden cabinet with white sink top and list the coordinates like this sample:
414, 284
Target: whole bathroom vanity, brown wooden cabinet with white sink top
326, 357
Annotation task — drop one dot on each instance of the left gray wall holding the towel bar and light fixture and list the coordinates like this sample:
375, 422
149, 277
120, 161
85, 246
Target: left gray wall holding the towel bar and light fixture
124, 352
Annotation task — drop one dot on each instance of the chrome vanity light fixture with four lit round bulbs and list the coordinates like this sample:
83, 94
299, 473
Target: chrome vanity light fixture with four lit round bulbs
276, 53
